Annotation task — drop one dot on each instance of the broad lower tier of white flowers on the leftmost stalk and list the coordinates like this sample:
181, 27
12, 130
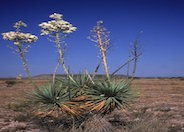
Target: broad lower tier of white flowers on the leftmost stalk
19, 38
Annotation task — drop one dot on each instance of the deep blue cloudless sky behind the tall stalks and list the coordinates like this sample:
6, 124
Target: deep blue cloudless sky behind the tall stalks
162, 22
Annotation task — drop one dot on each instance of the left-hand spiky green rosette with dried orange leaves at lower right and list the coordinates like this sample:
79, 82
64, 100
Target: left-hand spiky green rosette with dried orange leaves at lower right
51, 99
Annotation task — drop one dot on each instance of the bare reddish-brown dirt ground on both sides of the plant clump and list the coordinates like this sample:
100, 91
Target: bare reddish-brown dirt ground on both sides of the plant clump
163, 98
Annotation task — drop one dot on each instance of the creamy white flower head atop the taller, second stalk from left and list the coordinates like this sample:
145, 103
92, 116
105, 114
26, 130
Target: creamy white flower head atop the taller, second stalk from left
57, 25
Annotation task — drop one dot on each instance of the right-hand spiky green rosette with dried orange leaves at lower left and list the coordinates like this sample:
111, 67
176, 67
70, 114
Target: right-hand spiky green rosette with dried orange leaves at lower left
106, 96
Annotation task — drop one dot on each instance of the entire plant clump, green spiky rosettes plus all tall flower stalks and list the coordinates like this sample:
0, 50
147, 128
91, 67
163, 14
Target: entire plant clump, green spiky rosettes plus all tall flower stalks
80, 96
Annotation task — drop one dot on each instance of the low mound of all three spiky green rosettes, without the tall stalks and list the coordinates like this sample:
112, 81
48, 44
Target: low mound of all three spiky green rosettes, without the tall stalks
99, 97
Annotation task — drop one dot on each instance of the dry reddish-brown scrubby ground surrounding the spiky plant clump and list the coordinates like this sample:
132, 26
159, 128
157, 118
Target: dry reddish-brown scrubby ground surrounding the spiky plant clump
147, 110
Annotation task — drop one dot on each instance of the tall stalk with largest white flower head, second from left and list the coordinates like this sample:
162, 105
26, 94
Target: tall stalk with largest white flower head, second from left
55, 28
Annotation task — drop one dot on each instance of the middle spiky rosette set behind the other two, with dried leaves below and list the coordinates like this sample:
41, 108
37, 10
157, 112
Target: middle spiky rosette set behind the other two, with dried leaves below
77, 90
